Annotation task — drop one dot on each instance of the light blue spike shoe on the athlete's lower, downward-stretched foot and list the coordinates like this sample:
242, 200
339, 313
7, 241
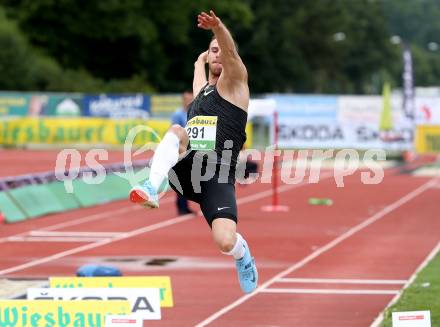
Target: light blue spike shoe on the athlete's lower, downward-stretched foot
247, 271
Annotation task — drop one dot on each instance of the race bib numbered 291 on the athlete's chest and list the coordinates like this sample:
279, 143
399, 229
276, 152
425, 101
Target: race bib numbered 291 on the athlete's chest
202, 131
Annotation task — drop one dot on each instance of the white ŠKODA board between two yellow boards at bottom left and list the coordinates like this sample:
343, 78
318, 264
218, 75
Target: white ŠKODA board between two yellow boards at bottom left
144, 302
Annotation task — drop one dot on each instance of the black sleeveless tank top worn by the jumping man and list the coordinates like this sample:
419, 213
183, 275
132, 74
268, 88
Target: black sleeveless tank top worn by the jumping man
231, 121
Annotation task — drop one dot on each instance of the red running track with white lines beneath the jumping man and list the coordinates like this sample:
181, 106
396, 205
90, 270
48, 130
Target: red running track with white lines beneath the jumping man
319, 265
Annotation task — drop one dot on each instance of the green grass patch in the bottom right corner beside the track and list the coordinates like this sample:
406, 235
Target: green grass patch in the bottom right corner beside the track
422, 294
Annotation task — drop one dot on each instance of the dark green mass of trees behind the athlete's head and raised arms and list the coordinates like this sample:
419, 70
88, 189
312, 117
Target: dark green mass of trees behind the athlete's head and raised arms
325, 46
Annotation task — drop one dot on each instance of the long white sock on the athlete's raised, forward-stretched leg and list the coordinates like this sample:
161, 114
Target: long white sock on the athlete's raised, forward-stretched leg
165, 157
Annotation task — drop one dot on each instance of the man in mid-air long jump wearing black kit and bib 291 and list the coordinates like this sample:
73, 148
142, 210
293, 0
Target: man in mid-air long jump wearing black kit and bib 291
208, 147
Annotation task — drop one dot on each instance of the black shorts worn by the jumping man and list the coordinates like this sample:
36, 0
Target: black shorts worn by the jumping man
216, 196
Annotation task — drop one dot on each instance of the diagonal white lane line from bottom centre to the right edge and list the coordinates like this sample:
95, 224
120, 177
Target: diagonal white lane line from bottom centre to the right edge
320, 251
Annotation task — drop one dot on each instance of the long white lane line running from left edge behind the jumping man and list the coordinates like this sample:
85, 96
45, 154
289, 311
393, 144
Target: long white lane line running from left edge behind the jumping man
139, 231
